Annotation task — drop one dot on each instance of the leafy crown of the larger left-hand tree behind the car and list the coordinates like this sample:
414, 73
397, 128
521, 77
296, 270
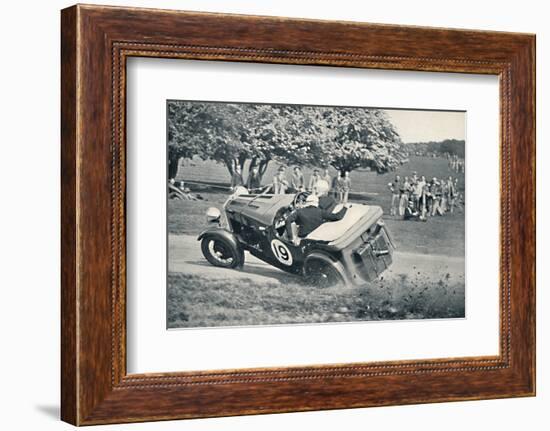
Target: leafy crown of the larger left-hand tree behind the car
236, 133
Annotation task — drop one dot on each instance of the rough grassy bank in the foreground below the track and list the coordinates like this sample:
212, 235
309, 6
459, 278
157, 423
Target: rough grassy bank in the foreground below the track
197, 301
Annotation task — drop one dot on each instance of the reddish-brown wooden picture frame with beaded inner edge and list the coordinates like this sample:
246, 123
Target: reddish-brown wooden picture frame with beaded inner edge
95, 43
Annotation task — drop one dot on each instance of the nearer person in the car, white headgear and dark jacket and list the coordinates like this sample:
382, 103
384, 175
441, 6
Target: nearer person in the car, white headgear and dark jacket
308, 217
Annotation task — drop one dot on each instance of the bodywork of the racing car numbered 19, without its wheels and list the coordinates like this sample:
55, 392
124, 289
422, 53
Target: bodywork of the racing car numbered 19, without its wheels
359, 242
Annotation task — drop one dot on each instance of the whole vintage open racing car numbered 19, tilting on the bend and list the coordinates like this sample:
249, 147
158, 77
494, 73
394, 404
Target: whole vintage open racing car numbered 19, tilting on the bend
355, 249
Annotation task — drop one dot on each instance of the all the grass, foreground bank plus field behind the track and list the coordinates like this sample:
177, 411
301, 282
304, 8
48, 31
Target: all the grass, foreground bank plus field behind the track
196, 300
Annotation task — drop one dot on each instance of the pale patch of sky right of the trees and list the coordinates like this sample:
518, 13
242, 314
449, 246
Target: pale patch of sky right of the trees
425, 126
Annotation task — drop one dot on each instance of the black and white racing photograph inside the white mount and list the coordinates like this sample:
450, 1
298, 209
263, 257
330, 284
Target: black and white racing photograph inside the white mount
300, 214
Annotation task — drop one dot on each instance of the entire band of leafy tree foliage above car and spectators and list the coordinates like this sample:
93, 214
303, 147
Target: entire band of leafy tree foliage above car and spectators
346, 138
